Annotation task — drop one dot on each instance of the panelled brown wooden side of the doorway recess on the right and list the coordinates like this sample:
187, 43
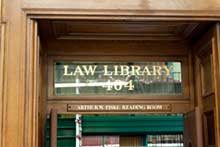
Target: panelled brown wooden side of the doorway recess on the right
207, 79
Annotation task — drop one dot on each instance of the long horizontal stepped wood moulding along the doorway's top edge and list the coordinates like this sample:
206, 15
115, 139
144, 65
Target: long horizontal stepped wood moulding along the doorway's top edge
110, 14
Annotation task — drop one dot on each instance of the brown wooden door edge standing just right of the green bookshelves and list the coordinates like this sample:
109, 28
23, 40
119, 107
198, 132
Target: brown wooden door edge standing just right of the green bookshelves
193, 129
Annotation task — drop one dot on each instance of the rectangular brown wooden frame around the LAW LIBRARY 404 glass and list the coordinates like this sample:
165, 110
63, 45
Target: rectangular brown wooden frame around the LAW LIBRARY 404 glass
185, 79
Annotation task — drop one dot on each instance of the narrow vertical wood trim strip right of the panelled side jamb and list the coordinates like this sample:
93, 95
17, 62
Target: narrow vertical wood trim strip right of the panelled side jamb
216, 62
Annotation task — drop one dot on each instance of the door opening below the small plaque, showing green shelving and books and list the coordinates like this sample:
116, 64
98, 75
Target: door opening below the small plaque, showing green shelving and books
120, 131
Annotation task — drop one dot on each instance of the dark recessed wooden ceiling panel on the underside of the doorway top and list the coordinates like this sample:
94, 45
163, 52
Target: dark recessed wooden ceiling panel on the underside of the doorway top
122, 30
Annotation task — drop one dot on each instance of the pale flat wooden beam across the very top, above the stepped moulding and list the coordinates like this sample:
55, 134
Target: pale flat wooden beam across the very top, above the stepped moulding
122, 5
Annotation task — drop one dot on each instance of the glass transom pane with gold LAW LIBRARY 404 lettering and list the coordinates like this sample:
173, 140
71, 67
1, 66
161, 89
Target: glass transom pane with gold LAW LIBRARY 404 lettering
75, 78
